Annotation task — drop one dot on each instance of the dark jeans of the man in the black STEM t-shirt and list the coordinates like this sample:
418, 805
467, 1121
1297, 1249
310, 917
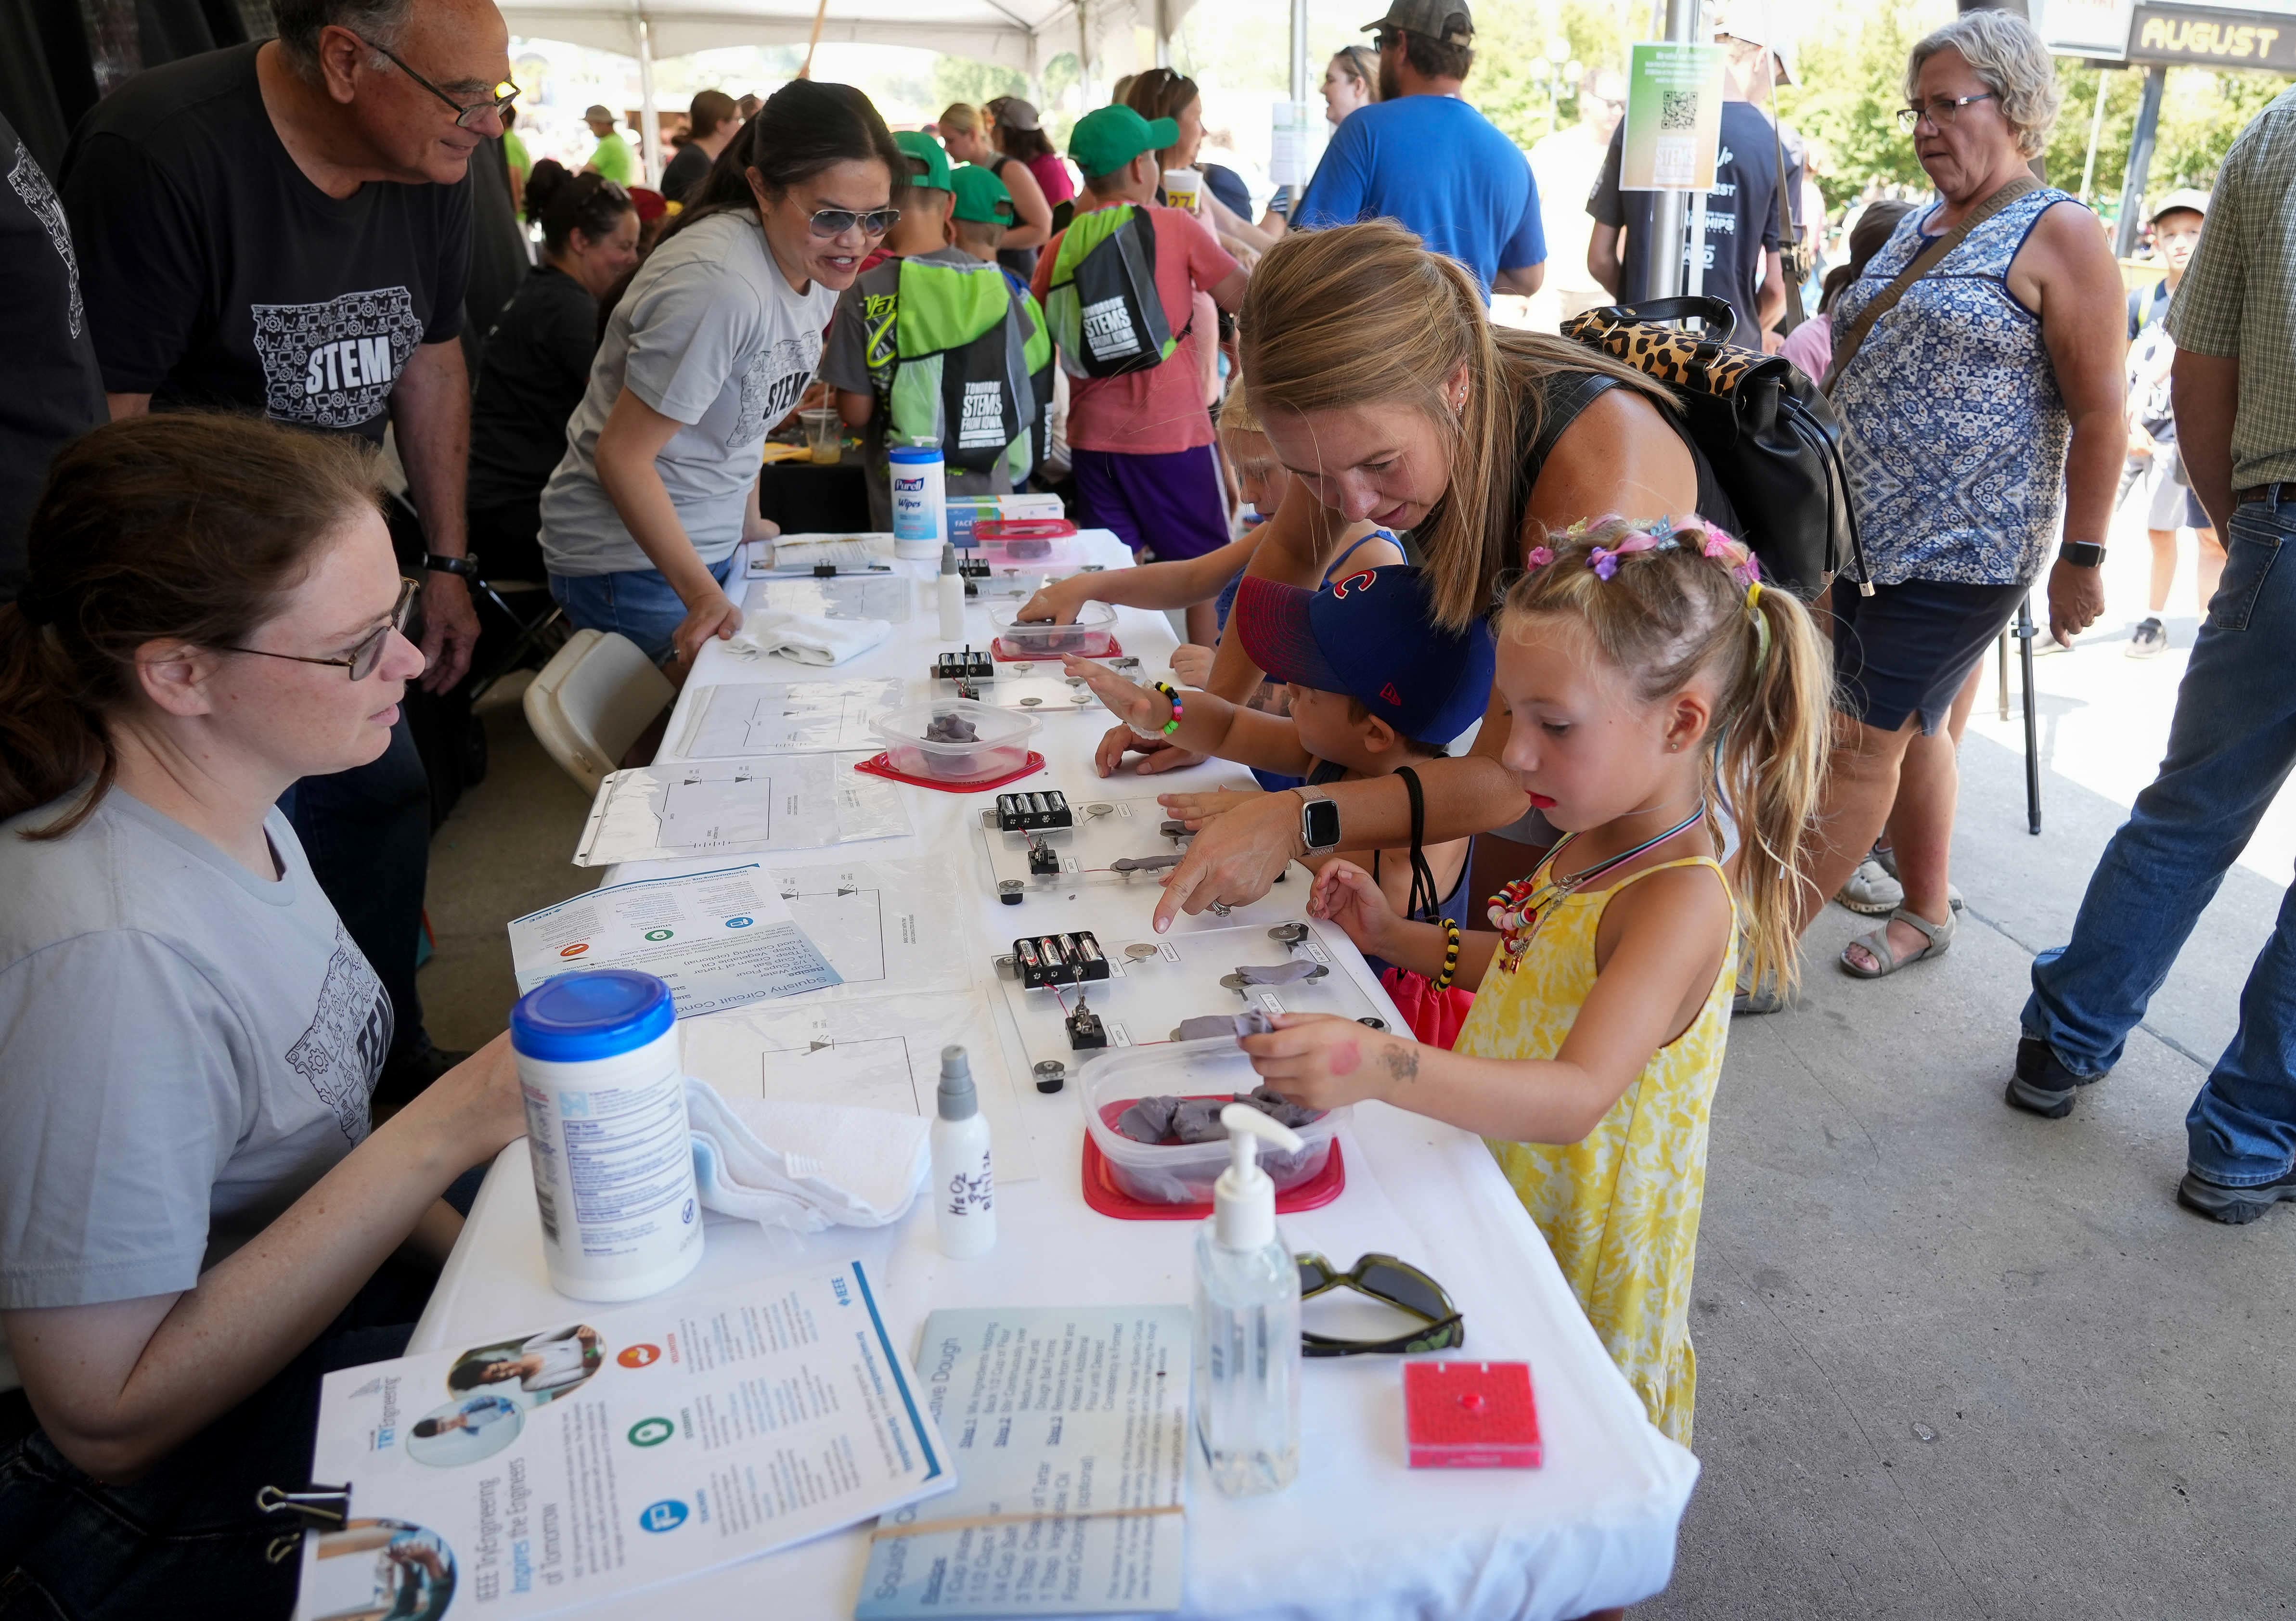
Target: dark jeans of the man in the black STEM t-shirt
366, 835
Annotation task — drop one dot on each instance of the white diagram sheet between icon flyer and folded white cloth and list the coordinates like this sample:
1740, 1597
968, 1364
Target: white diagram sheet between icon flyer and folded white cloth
871, 1055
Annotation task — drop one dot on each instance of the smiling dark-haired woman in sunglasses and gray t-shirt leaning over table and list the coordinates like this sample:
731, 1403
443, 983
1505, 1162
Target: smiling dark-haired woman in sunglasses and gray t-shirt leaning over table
708, 350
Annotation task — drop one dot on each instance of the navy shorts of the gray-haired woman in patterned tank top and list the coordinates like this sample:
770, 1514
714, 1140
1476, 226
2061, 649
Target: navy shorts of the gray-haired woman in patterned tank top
1909, 646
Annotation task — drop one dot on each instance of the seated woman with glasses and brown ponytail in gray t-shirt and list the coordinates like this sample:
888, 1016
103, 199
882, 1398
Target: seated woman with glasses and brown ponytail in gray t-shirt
196, 1213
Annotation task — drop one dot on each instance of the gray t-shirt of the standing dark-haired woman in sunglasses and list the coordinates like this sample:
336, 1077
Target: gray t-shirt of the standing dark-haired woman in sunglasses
713, 336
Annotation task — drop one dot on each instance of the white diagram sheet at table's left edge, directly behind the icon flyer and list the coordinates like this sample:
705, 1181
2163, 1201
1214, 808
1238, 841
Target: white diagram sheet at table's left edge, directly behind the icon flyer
738, 807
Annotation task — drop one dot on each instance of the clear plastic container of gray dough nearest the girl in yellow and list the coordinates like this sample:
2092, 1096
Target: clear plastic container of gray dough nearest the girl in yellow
1184, 1174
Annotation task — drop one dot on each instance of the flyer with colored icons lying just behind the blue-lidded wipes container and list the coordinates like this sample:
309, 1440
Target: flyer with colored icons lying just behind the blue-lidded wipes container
717, 940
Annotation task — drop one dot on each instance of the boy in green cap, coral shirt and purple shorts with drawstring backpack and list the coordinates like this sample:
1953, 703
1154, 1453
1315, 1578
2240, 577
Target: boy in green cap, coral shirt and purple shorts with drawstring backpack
1140, 440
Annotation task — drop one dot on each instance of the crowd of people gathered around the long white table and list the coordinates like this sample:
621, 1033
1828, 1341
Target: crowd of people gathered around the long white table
1496, 616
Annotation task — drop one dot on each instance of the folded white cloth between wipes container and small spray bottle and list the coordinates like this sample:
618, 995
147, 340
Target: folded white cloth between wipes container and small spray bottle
805, 1165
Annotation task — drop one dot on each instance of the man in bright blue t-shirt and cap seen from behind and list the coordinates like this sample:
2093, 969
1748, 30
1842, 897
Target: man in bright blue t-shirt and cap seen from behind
1427, 160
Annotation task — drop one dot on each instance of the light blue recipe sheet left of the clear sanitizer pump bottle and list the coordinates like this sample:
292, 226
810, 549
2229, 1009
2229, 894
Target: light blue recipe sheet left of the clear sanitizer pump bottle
1069, 1438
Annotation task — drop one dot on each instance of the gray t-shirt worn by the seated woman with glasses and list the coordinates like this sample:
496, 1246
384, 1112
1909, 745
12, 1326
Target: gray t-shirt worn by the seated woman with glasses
185, 1050
